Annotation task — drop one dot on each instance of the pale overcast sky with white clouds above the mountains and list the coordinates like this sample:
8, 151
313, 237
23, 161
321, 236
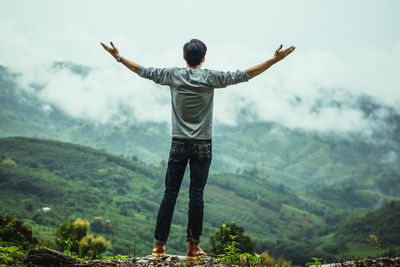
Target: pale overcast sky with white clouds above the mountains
345, 50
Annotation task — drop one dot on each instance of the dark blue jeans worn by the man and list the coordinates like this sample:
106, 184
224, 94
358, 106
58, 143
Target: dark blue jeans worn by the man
198, 154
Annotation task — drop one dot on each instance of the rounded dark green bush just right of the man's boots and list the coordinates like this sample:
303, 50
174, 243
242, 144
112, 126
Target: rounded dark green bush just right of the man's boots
222, 238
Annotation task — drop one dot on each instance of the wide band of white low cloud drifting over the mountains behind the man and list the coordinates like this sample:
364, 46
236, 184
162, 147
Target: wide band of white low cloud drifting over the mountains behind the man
353, 92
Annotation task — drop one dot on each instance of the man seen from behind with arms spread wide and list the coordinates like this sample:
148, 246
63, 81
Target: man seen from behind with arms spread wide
192, 94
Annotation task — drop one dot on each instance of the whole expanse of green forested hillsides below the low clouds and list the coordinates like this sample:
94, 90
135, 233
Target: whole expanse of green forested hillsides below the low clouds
297, 194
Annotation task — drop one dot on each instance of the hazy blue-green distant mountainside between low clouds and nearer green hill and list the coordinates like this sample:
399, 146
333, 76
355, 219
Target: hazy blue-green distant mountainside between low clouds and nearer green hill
300, 160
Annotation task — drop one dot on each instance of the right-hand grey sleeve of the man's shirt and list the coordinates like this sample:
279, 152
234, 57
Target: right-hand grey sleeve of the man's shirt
221, 79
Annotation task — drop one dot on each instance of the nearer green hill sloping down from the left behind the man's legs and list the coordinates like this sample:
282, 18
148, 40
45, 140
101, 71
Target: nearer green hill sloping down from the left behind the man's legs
76, 181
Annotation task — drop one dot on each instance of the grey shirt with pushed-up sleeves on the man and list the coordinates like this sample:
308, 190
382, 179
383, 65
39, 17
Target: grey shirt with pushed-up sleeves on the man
192, 96
